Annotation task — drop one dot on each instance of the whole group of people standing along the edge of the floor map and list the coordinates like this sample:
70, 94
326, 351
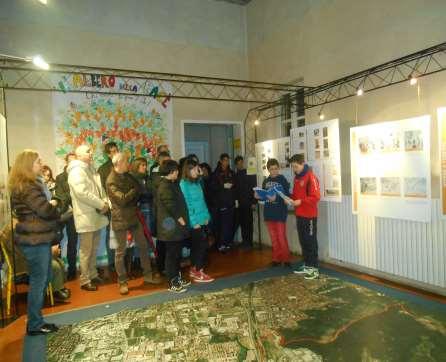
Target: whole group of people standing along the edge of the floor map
179, 203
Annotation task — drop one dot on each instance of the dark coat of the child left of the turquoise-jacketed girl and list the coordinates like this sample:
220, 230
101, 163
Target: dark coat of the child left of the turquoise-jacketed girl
169, 207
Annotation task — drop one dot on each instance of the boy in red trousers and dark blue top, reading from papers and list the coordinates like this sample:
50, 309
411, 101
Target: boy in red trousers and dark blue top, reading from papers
275, 214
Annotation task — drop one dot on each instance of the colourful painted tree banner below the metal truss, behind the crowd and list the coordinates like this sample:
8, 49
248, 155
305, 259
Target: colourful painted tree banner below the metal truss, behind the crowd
137, 124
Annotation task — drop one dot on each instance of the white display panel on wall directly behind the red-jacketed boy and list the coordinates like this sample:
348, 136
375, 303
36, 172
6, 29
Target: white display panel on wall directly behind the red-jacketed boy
319, 143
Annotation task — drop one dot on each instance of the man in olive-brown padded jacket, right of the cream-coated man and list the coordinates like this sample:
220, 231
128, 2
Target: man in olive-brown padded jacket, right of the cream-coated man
124, 192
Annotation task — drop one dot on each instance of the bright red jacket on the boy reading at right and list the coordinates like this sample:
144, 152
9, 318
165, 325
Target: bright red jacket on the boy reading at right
306, 188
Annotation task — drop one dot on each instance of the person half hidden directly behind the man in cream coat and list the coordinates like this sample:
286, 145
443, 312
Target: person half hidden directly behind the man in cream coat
62, 193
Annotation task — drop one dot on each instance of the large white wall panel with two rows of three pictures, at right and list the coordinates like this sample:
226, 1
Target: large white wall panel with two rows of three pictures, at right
391, 175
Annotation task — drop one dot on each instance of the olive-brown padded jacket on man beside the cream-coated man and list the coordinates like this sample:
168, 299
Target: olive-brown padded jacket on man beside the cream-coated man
124, 192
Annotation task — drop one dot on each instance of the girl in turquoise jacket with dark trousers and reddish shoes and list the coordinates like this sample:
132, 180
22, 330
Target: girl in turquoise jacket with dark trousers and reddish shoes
198, 219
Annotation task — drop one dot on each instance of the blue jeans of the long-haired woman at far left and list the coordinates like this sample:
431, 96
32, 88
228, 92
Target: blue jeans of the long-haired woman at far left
38, 260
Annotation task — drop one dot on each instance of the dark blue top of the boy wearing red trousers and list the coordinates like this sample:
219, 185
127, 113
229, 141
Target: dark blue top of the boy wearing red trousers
276, 210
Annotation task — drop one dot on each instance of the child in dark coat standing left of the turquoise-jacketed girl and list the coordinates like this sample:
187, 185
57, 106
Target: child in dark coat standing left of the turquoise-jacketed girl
171, 216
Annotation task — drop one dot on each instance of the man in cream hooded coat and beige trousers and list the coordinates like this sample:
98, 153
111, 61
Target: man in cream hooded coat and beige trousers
90, 206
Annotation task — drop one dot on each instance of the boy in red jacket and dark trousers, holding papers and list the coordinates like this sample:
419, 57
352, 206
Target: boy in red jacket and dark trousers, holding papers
306, 195
